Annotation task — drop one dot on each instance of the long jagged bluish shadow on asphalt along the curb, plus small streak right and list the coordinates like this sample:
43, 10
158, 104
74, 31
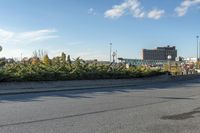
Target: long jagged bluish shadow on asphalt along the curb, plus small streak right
78, 94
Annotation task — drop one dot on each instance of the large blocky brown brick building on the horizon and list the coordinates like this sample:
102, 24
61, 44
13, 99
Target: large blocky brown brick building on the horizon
160, 53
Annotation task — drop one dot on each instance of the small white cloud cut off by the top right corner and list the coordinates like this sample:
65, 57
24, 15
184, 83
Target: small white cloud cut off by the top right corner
185, 5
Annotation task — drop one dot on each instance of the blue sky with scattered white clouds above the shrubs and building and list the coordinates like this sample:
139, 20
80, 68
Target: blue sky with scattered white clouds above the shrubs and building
85, 28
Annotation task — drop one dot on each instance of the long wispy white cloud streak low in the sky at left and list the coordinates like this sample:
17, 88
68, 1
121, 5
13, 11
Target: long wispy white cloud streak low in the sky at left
26, 37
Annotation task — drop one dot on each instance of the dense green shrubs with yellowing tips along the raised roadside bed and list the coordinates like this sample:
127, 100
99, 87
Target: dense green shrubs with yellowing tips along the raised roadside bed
63, 68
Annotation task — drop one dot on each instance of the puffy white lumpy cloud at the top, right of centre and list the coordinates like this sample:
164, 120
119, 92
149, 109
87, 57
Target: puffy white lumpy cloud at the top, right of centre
134, 8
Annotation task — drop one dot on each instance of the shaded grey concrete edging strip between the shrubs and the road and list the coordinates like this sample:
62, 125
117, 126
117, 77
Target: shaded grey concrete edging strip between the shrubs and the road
11, 88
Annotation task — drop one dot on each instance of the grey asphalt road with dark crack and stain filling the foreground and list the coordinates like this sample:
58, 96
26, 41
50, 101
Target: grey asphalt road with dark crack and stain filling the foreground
160, 108
